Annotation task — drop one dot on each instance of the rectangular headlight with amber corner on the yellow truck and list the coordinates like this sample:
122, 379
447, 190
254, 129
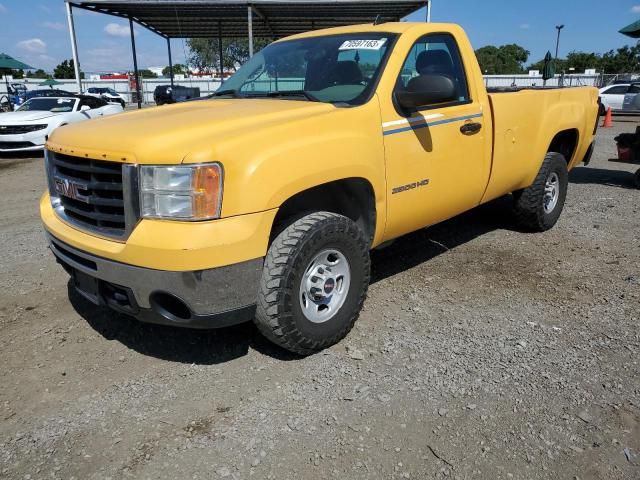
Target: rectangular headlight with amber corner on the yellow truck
190, 192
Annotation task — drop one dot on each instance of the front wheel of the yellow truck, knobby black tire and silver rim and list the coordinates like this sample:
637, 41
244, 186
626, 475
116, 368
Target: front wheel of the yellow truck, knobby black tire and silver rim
293, 267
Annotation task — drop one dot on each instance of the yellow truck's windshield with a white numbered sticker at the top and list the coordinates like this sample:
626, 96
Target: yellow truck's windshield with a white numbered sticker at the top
332, 69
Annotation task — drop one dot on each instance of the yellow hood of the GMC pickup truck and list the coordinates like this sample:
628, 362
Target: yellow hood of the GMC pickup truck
167, 134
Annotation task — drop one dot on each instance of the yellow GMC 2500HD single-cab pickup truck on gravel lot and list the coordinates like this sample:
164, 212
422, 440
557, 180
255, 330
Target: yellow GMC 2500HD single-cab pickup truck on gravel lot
263, 201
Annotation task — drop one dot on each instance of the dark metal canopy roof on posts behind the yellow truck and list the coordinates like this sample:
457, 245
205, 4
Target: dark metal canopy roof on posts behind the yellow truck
271, 18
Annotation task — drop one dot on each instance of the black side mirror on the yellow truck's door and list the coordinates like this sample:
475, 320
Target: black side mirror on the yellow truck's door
426, 90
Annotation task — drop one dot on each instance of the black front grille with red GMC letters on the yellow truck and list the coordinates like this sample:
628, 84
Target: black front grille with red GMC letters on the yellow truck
96, 199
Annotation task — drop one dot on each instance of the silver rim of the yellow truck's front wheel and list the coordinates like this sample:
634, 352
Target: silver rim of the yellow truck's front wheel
324, 286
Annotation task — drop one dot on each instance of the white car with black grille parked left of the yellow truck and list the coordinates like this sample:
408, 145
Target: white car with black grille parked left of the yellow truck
29, 127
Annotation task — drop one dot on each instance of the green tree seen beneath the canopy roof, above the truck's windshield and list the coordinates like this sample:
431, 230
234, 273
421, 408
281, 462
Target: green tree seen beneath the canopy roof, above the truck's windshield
204, 52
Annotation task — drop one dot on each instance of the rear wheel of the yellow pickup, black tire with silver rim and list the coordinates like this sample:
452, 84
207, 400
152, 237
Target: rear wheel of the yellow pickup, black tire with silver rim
535, 209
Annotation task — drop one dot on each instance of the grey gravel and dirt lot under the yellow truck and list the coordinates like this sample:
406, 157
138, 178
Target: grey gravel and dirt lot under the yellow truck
482, 353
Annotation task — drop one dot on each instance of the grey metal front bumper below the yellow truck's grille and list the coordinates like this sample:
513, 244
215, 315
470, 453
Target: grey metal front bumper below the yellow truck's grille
210, 298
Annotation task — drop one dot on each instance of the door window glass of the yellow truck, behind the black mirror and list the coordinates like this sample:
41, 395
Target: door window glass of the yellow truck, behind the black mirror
435, 54
